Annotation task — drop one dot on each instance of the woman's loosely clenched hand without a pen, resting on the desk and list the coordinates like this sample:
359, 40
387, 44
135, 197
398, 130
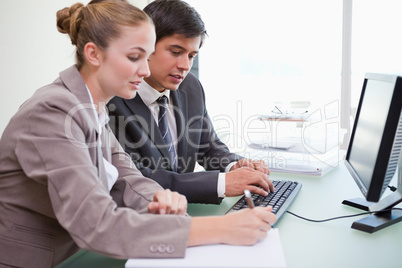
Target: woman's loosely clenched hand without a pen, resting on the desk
168, 202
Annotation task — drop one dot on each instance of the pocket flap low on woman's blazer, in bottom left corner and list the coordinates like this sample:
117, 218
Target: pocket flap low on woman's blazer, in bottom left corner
21, 254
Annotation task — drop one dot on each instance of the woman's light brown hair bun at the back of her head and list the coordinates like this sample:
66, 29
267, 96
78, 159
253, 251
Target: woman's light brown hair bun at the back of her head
68, 21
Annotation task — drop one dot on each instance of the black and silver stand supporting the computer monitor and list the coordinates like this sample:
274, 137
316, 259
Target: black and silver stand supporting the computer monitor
385, 217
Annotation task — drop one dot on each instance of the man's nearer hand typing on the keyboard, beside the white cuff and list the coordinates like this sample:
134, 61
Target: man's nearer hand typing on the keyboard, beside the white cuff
247, 178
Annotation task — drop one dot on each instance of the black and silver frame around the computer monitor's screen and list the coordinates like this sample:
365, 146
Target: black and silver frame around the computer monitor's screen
375, 190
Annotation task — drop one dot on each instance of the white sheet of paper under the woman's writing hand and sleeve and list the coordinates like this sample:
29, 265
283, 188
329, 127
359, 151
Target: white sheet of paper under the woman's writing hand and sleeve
265, 254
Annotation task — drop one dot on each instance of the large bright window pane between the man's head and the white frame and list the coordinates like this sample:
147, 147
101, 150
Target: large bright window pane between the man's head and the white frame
266, 53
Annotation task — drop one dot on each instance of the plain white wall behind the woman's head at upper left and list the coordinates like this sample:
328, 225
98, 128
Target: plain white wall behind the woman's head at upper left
32, 51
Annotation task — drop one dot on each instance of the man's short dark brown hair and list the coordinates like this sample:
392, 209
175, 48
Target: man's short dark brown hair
175, 17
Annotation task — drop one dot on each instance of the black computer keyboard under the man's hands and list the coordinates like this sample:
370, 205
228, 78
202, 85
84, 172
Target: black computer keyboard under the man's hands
280, 200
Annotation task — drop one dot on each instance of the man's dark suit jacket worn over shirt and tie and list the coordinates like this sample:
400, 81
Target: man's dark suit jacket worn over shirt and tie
138, 133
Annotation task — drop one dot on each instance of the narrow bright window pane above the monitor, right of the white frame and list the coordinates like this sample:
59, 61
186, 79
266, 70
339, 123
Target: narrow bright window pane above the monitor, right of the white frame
376, 42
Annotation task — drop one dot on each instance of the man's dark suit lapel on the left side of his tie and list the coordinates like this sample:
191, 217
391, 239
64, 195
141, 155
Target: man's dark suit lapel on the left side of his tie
144, 118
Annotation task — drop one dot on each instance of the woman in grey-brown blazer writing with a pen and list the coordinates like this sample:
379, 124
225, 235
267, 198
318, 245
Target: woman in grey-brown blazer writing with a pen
65, 183
